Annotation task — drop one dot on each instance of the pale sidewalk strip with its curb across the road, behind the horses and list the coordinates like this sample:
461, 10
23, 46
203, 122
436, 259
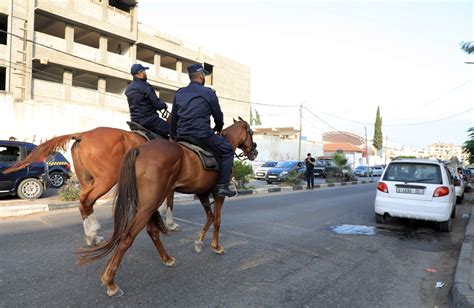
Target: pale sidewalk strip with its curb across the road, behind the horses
16, 207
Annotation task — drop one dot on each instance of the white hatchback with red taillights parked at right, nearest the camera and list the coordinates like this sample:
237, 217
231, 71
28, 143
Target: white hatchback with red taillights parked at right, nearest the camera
416, 189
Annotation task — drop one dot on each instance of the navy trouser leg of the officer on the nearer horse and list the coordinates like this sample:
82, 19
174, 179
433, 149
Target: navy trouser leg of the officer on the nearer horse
221, 147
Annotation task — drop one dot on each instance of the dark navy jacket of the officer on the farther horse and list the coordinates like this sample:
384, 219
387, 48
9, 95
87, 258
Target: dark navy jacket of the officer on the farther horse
143, 102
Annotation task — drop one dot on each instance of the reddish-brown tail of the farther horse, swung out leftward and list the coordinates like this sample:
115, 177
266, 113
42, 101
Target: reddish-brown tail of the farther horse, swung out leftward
42, 151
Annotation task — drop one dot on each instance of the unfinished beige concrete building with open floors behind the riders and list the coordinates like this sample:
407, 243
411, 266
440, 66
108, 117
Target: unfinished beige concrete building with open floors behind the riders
64, 66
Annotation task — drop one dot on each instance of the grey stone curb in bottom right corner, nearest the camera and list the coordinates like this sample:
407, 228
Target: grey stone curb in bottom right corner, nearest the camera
463, 285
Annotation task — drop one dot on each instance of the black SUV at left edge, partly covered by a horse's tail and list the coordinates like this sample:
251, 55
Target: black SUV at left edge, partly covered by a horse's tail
27, 183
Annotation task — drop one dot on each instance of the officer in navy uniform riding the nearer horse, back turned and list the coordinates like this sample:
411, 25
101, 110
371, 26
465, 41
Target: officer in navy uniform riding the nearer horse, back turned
191, 117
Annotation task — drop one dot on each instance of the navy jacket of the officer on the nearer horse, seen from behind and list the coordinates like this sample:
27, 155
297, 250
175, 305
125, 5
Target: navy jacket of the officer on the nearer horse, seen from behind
192, 110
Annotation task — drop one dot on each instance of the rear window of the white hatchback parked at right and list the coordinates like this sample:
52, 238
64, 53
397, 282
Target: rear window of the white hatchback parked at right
413, 173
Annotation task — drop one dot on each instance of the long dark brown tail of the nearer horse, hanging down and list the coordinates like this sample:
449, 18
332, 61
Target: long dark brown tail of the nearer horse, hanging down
125, 208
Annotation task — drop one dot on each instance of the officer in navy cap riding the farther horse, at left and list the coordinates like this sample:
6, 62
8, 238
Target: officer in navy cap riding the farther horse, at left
143, 102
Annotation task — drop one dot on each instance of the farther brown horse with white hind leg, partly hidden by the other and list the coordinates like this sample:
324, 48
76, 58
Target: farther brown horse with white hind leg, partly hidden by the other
96, 155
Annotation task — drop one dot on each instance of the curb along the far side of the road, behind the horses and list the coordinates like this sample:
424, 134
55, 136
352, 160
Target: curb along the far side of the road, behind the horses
27, 209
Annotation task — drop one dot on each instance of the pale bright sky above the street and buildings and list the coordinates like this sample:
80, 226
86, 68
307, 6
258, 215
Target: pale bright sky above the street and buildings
341, 59
